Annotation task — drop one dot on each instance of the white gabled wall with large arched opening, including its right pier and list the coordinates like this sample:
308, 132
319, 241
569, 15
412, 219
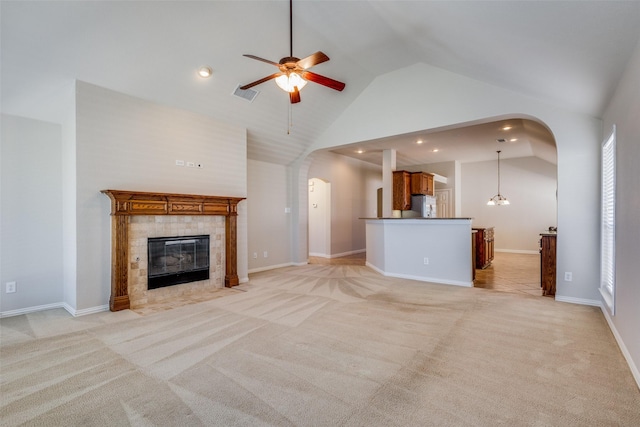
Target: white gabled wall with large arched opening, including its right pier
453, 99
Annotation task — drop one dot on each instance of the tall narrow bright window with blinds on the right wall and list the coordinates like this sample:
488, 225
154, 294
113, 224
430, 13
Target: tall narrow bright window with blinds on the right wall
608, 222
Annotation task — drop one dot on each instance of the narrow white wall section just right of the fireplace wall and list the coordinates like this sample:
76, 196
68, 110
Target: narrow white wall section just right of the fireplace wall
269, 225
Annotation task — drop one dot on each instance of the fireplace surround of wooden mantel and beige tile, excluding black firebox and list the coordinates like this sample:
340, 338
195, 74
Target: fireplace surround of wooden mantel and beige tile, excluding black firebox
165, 214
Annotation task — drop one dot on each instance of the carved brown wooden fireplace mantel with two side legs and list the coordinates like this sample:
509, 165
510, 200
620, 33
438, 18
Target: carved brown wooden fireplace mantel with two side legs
127, 203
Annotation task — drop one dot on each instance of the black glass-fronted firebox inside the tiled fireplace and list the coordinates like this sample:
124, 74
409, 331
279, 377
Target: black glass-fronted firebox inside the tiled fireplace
177, 260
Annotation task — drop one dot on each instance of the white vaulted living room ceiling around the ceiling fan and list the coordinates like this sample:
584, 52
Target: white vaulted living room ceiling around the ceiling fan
569, 53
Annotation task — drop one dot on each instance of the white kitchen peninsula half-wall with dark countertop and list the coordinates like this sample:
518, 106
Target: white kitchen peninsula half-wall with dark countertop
437, 250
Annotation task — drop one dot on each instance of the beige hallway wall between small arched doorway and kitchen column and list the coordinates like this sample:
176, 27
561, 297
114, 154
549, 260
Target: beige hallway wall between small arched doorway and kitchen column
354, 185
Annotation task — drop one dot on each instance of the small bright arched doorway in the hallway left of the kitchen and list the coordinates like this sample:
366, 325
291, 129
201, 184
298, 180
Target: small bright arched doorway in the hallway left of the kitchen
319, 218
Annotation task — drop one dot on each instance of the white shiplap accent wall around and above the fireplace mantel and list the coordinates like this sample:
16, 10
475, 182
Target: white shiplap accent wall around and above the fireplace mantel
127, 143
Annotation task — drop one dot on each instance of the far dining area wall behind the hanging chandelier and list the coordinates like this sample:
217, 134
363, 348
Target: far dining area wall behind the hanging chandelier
530, 185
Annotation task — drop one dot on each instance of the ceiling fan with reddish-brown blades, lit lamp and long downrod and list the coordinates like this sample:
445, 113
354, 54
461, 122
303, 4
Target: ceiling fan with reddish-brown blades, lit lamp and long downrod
294, 72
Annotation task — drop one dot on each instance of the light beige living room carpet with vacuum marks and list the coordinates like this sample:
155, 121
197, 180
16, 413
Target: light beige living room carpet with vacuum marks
322, 346
